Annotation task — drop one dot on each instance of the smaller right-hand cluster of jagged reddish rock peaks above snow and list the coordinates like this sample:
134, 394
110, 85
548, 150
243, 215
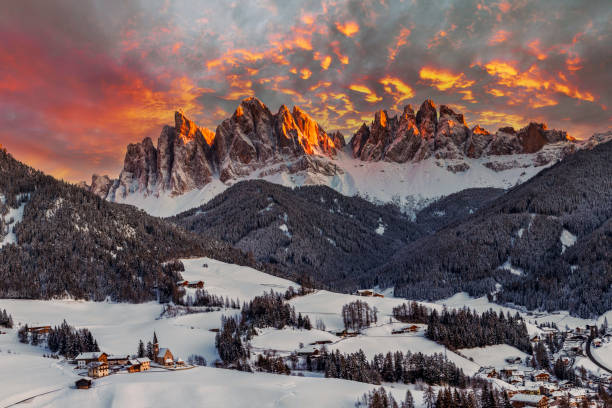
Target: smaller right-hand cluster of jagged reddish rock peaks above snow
443, 134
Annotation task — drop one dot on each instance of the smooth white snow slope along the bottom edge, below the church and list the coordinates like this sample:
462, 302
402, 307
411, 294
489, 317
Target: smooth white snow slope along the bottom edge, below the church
214, 387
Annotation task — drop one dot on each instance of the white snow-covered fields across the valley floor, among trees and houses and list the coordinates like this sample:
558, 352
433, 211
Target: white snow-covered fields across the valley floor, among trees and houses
118, 327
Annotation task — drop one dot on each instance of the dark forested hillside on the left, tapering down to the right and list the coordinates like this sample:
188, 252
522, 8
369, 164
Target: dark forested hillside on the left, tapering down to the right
68, 241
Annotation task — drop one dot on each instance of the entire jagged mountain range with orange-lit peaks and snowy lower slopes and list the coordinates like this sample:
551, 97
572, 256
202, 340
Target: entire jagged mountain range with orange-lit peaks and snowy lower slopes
409, 159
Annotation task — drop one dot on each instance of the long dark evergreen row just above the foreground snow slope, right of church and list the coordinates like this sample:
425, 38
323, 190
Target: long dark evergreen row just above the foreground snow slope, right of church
396, 367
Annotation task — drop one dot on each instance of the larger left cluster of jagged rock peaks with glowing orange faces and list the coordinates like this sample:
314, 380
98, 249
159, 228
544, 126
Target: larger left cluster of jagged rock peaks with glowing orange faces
187, 156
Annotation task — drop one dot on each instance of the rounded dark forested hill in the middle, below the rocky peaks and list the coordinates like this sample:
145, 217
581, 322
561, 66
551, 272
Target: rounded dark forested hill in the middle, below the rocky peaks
312, 231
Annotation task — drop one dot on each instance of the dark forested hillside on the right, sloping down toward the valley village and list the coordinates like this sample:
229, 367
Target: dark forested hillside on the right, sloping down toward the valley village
548, 242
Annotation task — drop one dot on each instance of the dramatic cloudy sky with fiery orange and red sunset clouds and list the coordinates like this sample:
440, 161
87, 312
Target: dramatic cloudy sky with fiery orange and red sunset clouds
80, 79
